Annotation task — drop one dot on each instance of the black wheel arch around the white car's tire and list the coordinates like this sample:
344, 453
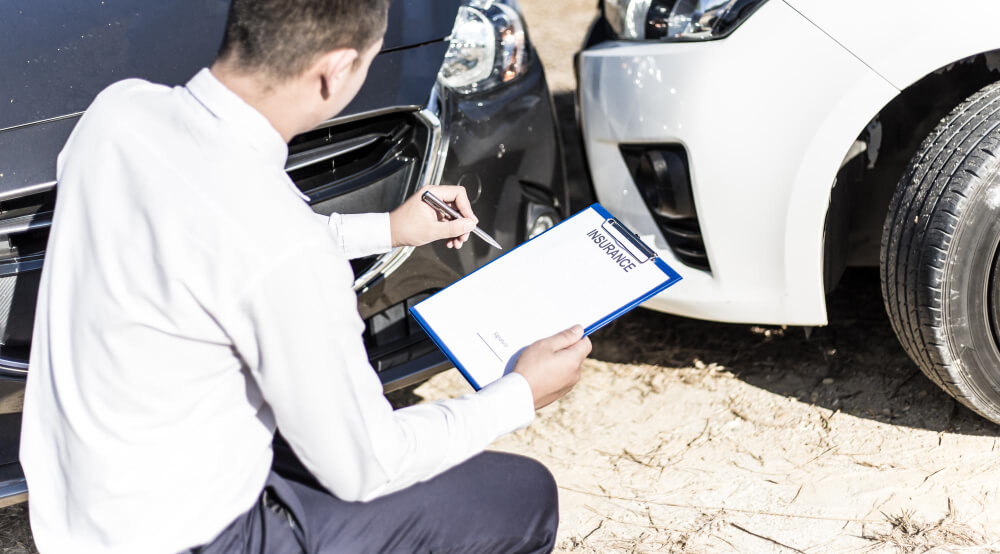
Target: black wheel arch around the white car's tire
871, 155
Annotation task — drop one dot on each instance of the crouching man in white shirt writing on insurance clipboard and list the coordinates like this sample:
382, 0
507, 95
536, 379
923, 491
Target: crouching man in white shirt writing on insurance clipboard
191, 303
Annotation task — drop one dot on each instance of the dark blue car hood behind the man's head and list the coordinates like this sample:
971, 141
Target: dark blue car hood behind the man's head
56, 55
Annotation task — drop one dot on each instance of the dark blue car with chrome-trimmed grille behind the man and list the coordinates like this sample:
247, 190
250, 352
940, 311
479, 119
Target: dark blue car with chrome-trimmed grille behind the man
441, 104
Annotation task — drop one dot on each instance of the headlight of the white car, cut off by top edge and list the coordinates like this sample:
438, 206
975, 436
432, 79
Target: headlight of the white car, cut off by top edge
677, 20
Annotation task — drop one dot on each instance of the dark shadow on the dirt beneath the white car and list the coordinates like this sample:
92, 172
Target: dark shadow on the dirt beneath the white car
854, 365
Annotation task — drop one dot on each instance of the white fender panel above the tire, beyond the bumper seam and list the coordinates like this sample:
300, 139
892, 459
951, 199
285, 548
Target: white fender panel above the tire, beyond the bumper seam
905, 40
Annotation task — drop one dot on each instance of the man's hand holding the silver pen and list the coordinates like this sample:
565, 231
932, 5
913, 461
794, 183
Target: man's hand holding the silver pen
415, 223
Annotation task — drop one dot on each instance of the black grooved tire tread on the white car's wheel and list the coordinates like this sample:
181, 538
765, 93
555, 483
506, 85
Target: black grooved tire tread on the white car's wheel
923, 216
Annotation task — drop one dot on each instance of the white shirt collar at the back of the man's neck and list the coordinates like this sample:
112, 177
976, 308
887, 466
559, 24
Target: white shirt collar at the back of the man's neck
243, 118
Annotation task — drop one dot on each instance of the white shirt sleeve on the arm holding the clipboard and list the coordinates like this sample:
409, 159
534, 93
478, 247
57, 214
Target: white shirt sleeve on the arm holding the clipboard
306, 353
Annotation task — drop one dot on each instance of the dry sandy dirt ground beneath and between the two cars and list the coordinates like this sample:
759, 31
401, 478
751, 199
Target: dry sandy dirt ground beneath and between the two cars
689, 436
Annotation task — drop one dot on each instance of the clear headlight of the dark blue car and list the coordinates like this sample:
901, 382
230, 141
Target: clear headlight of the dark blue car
488, 47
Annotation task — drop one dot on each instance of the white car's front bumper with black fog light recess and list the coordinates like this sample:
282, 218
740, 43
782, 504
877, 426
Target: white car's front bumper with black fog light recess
766, 117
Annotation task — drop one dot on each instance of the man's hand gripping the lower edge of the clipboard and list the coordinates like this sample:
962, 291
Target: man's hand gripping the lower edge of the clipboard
552, 366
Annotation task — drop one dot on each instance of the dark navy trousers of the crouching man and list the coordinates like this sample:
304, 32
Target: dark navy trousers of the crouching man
493, 502
